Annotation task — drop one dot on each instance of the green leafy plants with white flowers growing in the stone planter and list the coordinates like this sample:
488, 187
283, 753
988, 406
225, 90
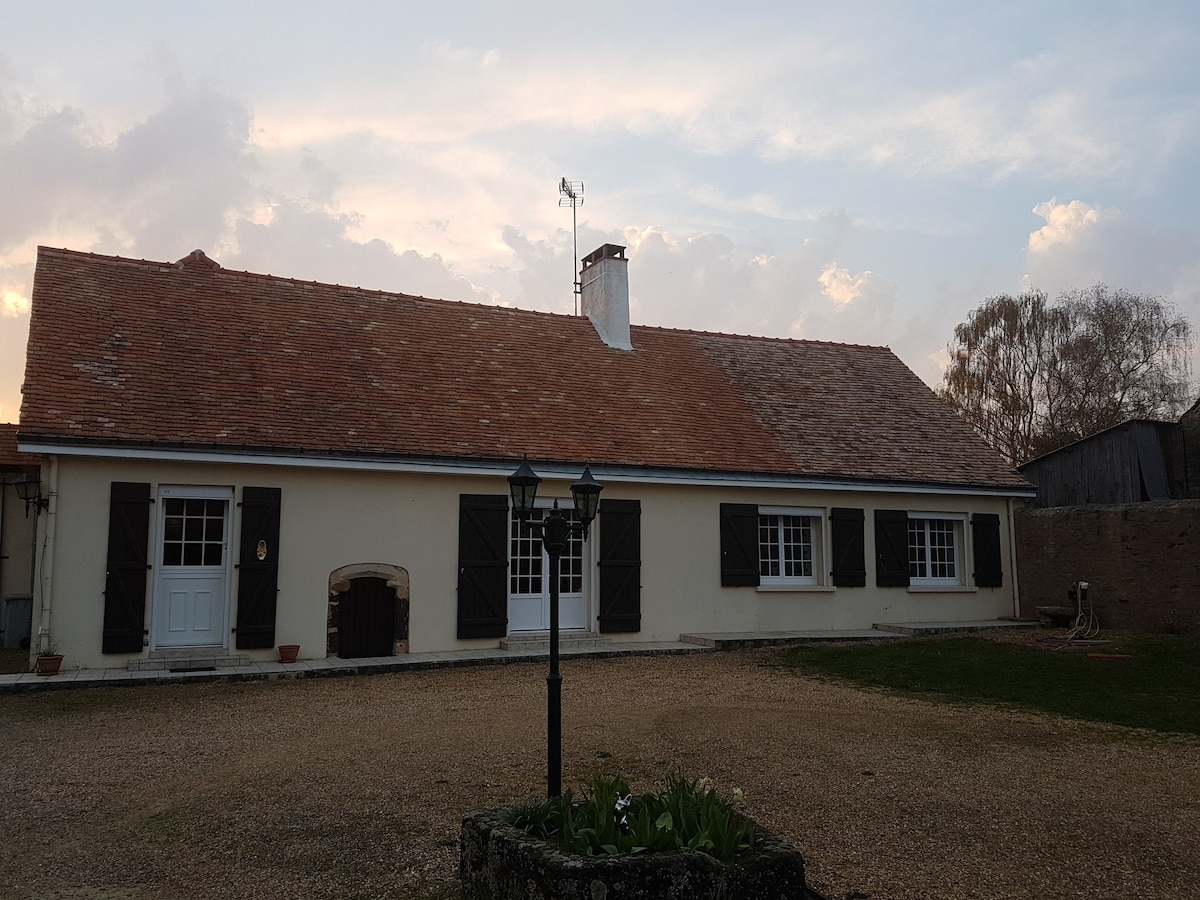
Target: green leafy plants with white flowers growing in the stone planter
611, 820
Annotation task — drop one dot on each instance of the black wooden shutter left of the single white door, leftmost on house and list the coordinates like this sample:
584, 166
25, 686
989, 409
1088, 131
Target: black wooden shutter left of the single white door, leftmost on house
125, 583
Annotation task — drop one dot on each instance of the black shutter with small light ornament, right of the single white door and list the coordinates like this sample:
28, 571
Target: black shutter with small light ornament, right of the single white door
259, 579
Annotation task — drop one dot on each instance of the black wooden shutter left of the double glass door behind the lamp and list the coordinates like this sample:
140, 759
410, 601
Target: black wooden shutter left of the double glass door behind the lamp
483, 566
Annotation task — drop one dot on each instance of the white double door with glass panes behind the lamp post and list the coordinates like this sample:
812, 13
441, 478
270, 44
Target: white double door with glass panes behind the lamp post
530, 583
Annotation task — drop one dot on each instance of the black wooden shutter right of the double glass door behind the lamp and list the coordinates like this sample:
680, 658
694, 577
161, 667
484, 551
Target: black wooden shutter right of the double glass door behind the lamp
621, 566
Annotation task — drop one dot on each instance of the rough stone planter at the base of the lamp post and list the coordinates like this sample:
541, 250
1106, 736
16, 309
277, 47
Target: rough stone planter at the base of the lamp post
500, 862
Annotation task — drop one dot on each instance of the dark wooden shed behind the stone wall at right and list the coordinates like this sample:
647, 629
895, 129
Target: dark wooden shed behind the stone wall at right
1136, 461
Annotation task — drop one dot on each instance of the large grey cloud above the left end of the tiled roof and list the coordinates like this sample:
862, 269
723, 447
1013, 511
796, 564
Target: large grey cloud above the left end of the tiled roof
171, 181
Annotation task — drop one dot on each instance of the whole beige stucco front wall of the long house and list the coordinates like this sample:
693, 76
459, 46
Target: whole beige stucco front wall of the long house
333, 519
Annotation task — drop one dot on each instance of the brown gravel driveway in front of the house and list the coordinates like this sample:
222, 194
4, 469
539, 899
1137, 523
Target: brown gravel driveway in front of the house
353, 788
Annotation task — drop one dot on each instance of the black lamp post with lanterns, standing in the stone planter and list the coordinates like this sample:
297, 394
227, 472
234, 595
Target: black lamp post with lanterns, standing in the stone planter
556, 532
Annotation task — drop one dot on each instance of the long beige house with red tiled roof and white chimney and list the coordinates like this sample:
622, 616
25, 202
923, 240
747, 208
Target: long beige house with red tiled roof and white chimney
238, 461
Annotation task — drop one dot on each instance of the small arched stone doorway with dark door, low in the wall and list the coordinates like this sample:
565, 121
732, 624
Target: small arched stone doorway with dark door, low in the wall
368, 611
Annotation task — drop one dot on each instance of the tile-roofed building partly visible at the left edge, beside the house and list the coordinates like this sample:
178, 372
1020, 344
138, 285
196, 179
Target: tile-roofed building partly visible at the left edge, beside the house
19, 520
